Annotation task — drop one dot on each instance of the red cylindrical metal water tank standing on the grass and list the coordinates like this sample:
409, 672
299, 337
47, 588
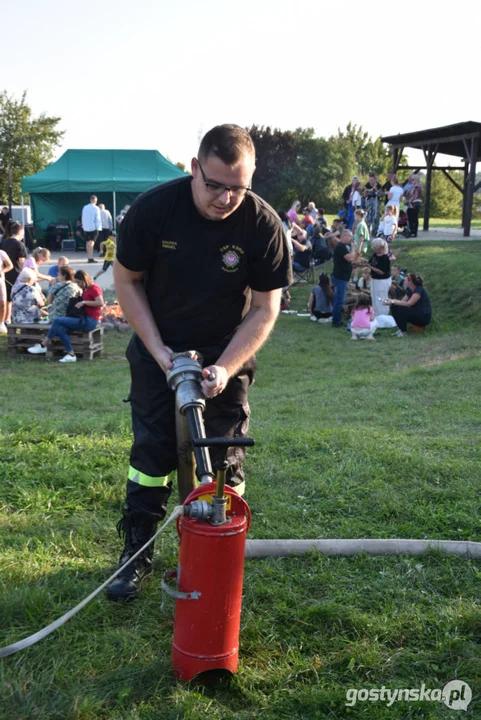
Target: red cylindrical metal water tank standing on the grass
210, 577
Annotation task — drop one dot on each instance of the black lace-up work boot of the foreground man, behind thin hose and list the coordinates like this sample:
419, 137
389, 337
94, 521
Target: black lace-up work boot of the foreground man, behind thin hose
136, 527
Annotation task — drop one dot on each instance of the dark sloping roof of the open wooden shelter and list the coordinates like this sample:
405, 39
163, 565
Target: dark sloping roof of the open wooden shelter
450, 139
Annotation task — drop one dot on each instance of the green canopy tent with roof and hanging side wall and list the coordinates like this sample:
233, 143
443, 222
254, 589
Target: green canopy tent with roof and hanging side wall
58, 193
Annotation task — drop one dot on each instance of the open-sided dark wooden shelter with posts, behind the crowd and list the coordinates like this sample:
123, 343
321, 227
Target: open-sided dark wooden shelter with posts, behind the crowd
462, 140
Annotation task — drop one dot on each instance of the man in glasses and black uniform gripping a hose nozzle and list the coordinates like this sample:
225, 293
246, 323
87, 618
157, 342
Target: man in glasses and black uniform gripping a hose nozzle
201, 263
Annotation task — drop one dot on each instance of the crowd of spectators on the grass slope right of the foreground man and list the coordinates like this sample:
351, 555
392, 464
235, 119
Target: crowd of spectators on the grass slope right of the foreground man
365, 287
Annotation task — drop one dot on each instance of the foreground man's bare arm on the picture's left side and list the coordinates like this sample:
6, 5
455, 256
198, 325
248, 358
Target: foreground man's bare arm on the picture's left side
131, 295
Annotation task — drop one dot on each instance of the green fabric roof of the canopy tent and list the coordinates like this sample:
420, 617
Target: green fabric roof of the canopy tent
103, 171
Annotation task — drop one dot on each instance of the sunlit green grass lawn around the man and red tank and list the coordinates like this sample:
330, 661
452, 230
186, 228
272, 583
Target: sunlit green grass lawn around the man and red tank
371, 440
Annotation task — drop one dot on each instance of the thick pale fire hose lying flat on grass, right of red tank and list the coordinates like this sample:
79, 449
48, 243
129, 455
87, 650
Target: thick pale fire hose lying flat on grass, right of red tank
285, 548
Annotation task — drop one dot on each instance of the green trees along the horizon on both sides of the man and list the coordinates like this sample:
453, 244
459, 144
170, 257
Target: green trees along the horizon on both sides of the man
291, 165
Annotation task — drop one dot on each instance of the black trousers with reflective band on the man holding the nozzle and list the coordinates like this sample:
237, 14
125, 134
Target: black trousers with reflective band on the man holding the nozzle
153, 455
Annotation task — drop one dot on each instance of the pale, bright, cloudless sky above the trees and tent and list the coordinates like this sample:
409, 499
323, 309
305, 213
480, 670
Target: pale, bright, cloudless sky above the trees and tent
150, 74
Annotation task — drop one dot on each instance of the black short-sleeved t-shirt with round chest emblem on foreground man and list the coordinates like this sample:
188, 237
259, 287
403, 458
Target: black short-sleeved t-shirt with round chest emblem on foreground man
197, 272
